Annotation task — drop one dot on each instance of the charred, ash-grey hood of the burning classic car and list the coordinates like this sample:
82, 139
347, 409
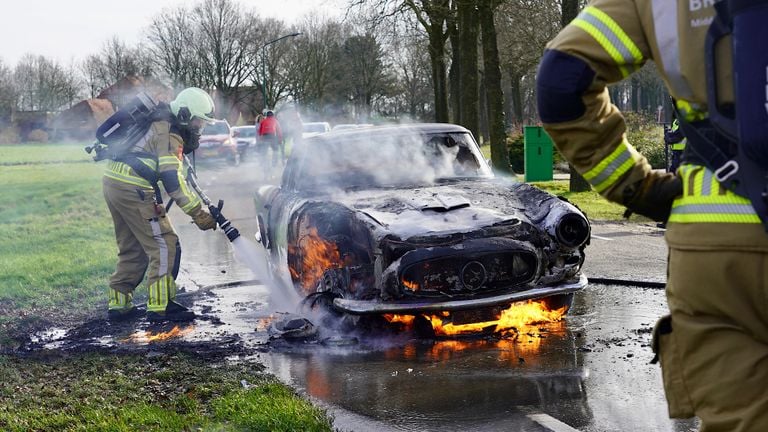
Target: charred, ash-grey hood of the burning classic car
448, 208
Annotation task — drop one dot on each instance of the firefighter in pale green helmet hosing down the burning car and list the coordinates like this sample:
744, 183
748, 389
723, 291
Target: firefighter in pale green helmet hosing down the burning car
147, 243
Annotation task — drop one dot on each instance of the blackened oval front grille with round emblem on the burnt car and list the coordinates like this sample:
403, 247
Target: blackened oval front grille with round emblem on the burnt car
461, 274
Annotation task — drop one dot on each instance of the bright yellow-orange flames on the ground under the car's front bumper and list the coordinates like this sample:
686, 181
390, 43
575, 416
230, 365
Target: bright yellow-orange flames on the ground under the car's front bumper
511, 321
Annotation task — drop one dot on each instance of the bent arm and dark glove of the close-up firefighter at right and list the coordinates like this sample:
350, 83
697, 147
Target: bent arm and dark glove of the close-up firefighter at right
604, 44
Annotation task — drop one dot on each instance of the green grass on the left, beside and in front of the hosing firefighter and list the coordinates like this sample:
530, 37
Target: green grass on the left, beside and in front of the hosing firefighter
57, 250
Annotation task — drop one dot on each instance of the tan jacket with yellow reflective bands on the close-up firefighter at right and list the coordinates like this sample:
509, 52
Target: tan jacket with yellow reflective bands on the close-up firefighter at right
608, 41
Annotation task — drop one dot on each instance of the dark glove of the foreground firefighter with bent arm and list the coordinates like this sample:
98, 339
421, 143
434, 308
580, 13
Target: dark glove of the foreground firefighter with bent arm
652, 197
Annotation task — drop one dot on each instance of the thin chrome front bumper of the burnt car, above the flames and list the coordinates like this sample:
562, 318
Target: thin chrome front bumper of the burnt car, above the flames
365, 307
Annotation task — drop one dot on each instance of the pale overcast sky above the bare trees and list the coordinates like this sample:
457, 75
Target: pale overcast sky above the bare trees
67, 30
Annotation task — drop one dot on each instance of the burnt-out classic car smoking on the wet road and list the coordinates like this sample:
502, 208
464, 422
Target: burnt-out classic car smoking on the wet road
407, 220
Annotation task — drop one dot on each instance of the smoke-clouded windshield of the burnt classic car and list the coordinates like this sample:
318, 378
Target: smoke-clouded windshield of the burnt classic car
395, 160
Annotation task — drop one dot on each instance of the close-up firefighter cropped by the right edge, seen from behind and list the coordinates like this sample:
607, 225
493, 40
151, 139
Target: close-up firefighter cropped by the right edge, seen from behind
714, 344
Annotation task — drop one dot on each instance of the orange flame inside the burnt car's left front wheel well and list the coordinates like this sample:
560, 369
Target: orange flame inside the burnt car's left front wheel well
318, 255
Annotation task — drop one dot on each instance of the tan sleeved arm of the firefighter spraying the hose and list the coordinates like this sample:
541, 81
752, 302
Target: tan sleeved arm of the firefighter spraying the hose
172, 176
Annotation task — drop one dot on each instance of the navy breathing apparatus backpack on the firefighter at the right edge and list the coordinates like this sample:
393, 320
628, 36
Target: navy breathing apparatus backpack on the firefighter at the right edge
733, 141
